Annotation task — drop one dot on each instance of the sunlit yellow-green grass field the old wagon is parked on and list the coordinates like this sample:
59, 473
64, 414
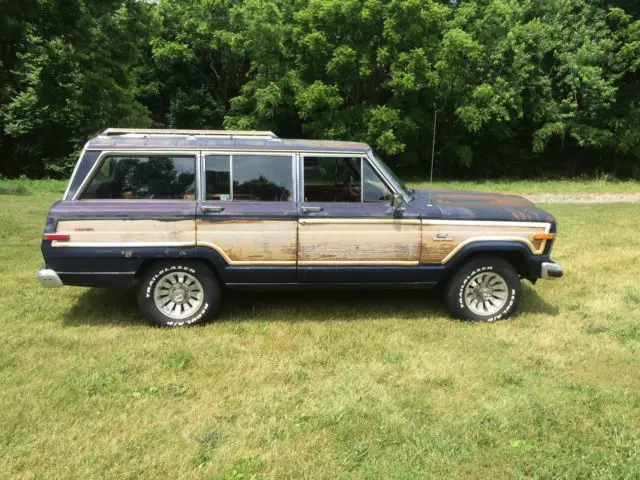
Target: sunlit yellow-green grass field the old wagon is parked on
342, 385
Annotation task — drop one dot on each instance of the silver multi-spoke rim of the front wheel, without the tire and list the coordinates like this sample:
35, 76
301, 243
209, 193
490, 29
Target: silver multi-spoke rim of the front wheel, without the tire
486, 293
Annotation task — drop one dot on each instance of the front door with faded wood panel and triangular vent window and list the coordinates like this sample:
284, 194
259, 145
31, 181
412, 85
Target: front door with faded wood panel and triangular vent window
348, 232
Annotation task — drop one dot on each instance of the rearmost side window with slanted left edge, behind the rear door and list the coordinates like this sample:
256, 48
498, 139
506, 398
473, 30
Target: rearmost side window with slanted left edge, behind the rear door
131, 177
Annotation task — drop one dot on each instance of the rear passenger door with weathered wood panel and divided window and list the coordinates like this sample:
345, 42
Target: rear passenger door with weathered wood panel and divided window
247, 215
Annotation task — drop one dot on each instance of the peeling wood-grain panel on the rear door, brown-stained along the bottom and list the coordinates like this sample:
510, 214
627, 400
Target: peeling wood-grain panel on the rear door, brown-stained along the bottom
248, 242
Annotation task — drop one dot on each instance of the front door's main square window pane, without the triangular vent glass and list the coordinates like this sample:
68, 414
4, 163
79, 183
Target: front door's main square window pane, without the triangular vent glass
332, 179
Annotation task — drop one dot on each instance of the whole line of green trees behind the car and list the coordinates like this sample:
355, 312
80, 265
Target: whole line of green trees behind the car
516, 88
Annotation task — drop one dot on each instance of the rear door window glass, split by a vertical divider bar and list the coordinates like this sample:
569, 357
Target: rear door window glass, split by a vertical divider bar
263, 178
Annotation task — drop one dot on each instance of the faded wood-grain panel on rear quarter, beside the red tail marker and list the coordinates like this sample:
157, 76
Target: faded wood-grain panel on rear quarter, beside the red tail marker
127, 231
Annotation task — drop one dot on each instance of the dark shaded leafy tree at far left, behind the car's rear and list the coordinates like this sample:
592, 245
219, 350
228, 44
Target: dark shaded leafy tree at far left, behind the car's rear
72, 71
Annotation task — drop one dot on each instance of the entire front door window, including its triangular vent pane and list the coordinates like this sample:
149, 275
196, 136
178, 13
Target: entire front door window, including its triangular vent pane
342, 179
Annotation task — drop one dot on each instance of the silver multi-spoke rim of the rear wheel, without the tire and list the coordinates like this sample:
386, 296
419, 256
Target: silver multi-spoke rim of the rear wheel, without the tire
178, 295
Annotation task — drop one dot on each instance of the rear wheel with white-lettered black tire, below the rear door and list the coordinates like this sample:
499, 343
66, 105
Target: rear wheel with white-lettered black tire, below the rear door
176, 293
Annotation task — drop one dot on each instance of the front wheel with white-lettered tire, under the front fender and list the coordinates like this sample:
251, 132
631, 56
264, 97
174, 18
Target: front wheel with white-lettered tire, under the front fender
485, 290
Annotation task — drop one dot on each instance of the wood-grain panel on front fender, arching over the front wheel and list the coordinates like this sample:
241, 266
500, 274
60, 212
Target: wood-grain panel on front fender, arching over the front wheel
436, 249
